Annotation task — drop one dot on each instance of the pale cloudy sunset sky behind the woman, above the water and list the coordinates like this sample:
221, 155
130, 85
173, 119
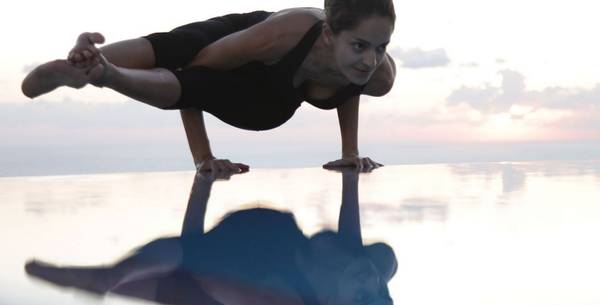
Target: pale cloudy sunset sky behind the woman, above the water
479, 73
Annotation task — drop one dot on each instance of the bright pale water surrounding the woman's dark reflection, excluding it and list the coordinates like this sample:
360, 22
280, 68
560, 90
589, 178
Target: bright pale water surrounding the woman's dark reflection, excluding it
488, 233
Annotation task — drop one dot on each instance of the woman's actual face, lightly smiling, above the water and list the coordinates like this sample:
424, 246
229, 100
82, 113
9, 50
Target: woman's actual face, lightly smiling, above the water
359, 51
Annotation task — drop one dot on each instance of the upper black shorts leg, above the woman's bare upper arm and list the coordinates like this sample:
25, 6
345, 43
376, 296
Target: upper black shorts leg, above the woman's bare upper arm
175, 49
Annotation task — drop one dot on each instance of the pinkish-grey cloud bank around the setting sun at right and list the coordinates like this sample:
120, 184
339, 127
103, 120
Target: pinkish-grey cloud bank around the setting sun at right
512, 110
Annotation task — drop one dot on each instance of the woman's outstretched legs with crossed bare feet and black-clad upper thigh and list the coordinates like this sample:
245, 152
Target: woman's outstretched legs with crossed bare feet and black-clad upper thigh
129, 67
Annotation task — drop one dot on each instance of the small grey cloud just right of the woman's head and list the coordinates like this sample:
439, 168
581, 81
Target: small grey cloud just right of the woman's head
416, 58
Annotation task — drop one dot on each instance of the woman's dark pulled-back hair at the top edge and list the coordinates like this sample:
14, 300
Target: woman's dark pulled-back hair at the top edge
346, 14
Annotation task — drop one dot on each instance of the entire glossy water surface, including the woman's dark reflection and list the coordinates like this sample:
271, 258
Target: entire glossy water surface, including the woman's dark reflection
491, 233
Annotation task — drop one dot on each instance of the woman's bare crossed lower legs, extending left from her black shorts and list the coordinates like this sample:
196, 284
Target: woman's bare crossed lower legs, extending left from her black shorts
157, 87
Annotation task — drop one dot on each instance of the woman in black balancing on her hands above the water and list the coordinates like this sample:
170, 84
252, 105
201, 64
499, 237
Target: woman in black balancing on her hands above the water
250, 70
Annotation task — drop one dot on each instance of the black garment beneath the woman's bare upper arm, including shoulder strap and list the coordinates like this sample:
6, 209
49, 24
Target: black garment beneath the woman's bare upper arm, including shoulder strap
256, 96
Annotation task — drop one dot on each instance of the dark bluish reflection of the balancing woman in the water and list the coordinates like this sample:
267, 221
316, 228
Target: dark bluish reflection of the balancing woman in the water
255, 256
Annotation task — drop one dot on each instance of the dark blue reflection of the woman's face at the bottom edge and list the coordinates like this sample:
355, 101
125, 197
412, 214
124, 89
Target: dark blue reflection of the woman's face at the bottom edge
360, 284
